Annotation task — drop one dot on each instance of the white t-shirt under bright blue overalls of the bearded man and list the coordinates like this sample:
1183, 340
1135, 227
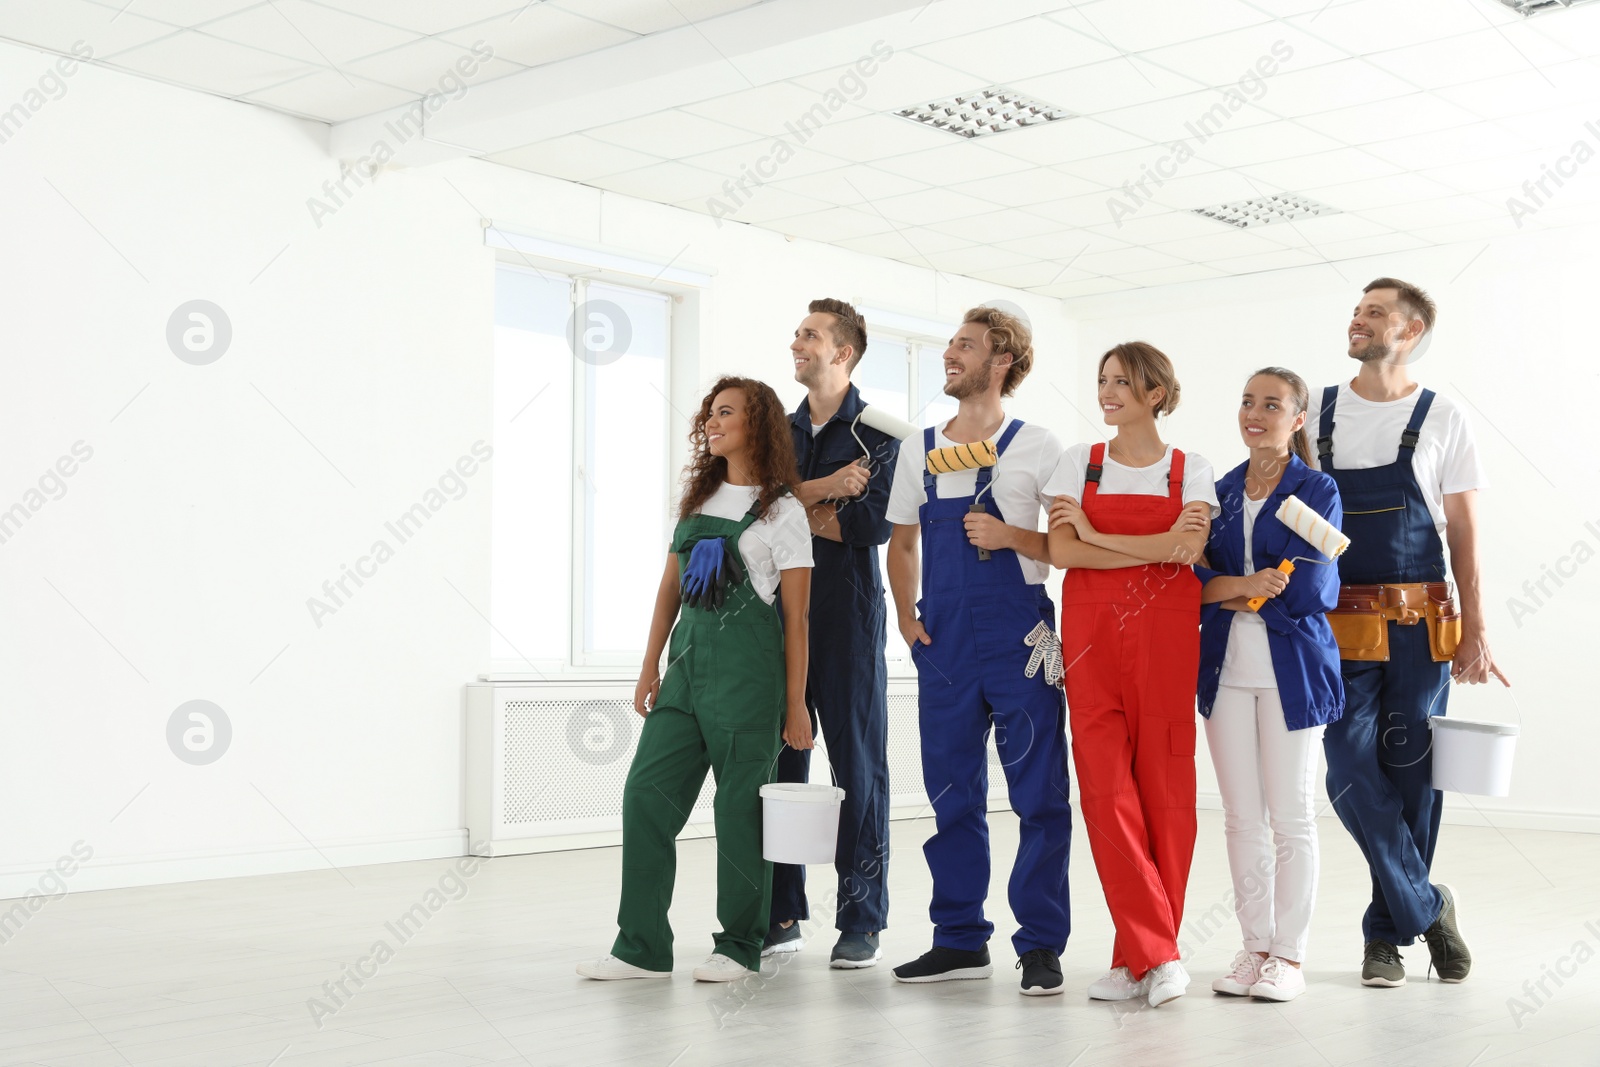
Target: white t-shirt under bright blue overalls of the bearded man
1015, 489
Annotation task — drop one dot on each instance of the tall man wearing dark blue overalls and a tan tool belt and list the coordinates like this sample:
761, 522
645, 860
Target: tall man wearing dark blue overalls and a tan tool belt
1409, 476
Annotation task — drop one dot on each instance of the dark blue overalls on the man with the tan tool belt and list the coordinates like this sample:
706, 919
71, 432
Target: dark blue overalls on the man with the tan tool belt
1380, 756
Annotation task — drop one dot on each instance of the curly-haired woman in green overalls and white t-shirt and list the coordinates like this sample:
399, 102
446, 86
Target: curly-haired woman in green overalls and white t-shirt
735, 687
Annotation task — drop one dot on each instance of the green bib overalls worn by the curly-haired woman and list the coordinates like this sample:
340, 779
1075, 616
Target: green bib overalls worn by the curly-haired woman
721, 706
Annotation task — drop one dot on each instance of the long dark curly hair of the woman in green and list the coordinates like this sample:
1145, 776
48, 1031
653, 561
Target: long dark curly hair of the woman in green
770, 449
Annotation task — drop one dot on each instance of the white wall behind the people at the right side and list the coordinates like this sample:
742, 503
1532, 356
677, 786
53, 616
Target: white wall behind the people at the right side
1516, 346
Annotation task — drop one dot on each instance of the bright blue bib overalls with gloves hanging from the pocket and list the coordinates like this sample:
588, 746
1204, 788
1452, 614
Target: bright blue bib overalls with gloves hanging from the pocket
970, 679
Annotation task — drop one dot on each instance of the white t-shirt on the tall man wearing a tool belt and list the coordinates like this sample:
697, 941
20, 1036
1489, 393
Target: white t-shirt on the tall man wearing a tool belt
1367, 434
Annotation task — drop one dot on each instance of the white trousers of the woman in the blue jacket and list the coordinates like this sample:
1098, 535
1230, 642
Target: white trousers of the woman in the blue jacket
1266, 773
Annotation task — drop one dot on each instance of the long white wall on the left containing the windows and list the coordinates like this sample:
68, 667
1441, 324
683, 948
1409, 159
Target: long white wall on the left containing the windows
180, 557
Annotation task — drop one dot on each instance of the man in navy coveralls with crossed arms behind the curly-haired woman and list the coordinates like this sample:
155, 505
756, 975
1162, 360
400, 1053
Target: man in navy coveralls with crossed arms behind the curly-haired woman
846, 471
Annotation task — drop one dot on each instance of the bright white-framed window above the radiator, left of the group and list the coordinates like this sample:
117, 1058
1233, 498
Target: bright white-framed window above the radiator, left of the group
582, 474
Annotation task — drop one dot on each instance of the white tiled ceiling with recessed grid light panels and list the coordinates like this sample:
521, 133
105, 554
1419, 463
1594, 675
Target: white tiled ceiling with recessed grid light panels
1415, 121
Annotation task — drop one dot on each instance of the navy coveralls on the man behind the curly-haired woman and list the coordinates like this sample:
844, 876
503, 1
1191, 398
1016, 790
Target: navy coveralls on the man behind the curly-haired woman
847, 684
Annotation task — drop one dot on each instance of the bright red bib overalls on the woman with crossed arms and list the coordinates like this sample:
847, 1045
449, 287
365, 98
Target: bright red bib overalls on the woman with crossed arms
1132, 644
